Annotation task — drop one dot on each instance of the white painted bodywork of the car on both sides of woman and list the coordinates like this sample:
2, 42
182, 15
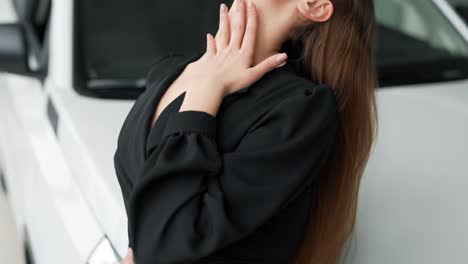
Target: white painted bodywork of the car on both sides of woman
412, 204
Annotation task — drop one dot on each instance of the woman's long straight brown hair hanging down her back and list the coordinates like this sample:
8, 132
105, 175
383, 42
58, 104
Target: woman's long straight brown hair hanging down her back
340, 53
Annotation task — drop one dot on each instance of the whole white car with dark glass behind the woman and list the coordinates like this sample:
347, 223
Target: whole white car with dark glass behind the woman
73, 68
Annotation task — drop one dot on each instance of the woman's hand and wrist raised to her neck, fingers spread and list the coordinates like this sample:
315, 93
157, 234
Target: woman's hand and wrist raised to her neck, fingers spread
225, 67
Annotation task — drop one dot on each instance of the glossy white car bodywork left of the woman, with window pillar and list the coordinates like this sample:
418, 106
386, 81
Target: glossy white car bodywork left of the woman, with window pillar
54, 185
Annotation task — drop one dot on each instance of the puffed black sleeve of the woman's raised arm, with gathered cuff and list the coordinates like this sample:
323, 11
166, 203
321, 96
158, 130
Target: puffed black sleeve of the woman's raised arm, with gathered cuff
193, 200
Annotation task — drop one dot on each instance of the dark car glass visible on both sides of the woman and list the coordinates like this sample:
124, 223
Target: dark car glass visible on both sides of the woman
116, 44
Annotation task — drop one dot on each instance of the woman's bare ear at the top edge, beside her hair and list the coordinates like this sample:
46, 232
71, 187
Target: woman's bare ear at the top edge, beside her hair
316, 10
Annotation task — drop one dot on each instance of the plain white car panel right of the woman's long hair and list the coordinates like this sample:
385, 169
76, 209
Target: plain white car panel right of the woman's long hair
412, 203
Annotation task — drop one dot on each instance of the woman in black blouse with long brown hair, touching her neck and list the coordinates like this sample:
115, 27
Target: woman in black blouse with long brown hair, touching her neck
242, 155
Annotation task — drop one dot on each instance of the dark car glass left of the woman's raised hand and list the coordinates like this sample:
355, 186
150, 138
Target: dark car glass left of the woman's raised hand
118, 40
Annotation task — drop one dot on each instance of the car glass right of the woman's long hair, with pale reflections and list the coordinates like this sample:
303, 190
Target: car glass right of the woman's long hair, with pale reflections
417, 44
